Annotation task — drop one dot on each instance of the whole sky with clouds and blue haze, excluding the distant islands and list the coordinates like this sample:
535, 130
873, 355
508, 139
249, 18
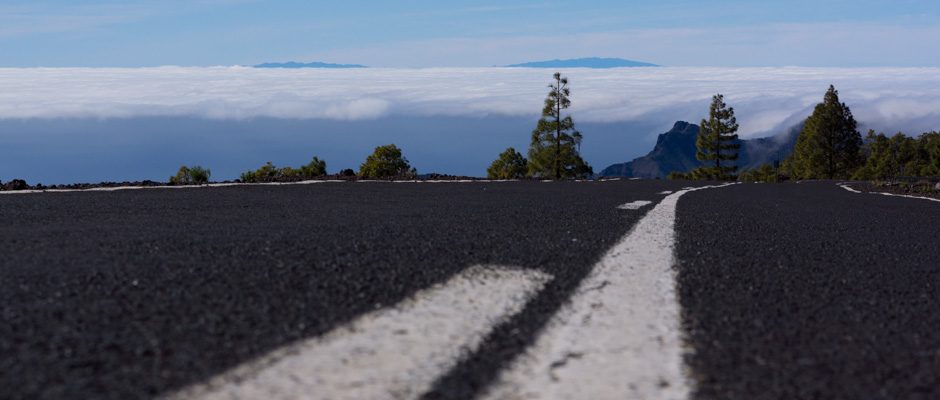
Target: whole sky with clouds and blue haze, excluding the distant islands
176, 94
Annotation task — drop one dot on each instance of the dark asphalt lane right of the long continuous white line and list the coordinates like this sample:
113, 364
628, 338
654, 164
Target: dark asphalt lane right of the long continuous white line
809, 291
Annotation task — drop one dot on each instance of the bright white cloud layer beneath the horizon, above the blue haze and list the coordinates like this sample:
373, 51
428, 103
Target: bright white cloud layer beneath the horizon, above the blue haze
765, 99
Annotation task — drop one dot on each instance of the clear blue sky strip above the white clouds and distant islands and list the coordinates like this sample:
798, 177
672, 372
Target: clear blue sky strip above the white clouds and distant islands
733, 33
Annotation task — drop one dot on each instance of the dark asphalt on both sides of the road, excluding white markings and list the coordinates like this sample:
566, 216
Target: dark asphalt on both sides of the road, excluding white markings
787, 291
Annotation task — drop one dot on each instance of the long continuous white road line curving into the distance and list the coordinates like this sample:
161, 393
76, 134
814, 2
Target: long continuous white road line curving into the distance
620, 335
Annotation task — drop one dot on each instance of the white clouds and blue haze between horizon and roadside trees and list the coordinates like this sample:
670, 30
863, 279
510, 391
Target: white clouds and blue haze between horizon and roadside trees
449, 120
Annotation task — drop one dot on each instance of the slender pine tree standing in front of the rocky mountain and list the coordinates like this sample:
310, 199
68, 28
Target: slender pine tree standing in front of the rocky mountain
716, 143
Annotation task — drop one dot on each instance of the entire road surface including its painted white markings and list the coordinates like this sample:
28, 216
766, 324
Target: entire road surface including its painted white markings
623, 289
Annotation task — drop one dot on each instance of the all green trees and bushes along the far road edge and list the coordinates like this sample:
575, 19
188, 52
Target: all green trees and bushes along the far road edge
829, 146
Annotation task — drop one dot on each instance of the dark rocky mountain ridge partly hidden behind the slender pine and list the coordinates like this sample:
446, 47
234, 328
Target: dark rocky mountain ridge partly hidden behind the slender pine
675, 151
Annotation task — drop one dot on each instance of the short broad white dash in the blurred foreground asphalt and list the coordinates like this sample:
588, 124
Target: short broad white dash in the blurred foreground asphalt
393, 353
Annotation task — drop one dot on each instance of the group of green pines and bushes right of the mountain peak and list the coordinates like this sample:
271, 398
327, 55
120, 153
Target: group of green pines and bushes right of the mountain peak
828, 147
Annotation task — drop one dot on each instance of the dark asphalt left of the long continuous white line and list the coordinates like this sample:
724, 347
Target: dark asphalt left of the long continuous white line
134, 293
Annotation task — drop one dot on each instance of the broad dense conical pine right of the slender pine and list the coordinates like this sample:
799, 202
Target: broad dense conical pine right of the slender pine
828, 145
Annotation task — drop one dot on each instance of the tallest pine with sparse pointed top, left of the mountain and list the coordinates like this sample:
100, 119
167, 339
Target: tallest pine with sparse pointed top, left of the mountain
556, 145
